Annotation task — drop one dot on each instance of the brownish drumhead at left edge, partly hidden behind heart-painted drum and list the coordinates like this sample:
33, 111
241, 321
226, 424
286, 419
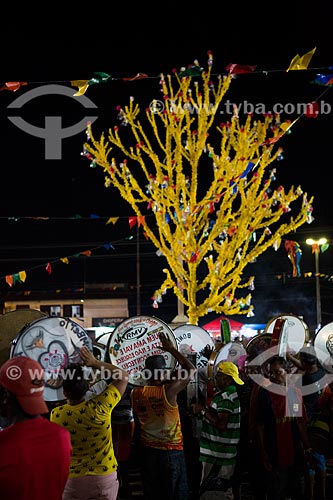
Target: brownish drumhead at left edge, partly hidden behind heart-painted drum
11, 324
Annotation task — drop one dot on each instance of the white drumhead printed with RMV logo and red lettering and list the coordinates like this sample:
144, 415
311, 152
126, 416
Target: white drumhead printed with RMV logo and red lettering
135, 339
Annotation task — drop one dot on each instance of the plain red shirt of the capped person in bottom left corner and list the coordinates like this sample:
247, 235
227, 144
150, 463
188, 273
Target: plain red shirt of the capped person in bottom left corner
34, 460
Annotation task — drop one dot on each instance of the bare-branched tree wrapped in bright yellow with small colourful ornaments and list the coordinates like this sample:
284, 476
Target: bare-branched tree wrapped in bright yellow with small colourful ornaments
201, 190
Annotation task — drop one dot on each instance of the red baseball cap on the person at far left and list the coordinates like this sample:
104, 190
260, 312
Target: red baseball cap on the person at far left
24, 377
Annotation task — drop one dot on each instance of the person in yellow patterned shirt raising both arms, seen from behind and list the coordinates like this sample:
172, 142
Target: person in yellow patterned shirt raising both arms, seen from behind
93, 468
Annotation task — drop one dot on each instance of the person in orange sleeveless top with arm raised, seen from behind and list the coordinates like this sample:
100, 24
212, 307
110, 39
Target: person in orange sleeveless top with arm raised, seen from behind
155, 406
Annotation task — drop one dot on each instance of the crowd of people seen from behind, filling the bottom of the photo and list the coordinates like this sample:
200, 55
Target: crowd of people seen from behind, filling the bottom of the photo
264, 420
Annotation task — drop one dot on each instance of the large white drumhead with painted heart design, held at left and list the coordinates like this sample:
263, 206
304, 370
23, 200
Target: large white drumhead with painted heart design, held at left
55, 343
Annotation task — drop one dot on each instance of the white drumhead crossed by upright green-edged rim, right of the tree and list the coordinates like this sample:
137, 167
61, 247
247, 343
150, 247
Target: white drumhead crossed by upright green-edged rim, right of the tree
293, 334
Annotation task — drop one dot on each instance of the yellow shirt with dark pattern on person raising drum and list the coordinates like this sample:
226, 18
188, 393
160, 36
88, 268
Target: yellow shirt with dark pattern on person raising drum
89, 424
